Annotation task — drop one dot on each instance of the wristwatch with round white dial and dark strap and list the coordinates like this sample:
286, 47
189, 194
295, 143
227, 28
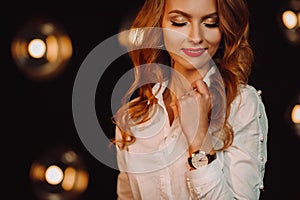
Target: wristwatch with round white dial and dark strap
200, 158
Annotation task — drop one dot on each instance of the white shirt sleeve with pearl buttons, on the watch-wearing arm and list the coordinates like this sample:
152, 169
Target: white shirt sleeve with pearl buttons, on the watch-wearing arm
238, 171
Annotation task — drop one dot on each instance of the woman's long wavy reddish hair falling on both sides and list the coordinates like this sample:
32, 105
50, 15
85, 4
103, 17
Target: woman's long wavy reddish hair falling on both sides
234, 59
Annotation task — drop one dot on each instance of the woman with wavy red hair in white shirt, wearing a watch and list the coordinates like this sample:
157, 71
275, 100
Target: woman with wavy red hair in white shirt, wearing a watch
178, 138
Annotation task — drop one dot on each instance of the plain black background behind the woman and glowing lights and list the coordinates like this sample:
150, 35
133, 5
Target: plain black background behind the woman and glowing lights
37, 116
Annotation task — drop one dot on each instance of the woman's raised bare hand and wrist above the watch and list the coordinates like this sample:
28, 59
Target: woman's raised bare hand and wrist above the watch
194, 108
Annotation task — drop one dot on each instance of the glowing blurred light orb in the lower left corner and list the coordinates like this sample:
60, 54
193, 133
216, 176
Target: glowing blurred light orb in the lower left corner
59, 174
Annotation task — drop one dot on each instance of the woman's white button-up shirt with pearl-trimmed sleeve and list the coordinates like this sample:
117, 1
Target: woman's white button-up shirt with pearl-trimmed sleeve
155, 166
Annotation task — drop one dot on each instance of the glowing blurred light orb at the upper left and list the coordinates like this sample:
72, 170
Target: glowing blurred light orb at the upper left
41, 49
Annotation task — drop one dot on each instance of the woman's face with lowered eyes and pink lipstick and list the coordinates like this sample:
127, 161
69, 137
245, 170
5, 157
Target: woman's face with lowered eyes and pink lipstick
191, 32
